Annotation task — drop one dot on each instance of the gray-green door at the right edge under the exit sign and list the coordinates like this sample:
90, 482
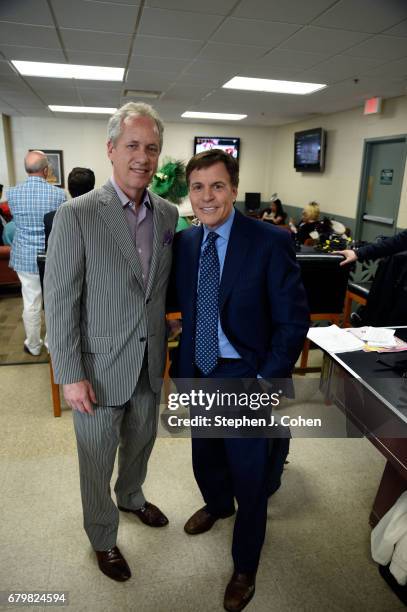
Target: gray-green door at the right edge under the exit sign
383, 168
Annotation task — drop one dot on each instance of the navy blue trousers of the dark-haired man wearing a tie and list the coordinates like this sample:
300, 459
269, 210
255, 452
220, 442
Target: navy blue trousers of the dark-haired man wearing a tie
236, 468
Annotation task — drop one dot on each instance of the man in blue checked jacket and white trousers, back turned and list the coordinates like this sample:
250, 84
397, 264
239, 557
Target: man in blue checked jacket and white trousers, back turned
28, 202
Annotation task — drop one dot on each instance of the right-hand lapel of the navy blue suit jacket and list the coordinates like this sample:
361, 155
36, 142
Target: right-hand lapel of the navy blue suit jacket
236, 253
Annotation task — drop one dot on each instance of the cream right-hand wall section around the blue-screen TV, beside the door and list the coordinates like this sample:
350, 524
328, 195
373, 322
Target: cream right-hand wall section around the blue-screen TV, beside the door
337, 188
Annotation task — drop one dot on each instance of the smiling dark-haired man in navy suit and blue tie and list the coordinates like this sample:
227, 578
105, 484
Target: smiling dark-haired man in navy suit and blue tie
244, 315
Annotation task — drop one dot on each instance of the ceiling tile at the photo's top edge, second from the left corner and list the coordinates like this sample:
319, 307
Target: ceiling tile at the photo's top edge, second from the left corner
103, 17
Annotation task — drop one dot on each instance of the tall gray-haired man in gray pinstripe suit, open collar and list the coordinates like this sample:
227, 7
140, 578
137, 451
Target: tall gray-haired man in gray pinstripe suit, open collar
108, 263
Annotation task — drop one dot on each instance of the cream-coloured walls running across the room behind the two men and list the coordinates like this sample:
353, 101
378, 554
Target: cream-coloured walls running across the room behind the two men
266, 162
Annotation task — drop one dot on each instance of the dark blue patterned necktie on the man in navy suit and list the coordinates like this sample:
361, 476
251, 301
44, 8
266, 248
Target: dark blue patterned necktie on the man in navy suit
206, 341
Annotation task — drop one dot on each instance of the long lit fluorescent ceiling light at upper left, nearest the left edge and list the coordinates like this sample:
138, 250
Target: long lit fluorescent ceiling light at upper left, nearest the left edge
69, 71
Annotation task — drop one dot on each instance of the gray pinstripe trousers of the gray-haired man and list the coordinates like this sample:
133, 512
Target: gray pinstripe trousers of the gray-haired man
132, 427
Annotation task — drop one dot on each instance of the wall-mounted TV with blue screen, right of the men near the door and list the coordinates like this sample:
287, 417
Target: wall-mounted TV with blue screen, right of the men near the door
309, 150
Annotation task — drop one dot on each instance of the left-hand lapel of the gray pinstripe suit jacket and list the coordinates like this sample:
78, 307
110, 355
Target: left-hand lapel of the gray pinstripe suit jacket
113, 215
